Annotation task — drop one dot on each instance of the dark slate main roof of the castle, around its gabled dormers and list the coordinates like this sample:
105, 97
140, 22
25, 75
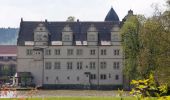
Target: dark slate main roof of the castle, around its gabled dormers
79, 29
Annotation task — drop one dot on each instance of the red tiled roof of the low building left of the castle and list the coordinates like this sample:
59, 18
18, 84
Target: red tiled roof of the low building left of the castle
8, 49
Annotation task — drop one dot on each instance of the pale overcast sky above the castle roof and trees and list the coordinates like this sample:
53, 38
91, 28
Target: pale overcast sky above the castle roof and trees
11, 11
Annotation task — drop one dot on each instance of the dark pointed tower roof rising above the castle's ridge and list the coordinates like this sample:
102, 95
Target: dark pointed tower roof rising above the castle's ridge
112, 16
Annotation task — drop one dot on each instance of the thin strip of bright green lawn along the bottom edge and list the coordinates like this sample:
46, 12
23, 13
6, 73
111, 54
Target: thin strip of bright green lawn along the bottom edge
86, 98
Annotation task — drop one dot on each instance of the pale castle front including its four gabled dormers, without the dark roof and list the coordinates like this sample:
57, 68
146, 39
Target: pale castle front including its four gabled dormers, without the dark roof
69, 62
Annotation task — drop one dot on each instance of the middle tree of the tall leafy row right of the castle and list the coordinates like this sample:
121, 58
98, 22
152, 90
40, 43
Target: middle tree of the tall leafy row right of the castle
150, 43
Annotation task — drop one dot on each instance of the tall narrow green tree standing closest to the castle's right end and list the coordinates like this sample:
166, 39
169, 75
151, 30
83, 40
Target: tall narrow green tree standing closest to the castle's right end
130, 41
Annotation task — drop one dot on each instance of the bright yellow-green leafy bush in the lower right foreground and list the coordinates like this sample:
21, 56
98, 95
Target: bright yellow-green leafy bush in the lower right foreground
148, 87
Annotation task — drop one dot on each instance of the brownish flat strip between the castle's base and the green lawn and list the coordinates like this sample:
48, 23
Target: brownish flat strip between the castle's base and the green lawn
55, 93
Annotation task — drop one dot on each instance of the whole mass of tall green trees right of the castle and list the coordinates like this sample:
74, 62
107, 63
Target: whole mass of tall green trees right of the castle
146, 46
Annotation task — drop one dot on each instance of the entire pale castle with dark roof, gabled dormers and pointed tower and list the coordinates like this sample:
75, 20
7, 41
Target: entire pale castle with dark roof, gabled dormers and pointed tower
71, 54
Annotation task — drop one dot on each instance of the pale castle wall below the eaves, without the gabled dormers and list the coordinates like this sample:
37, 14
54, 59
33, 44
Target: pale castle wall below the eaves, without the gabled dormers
43, 75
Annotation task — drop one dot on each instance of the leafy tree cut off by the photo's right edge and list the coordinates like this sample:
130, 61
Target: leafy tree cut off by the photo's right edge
163, 59
